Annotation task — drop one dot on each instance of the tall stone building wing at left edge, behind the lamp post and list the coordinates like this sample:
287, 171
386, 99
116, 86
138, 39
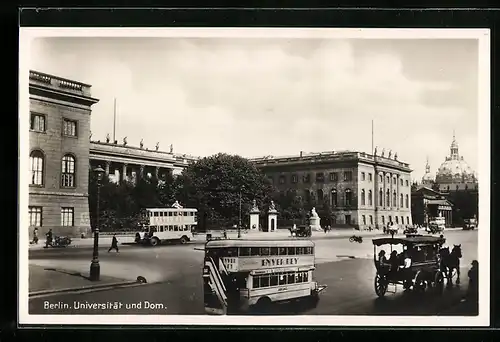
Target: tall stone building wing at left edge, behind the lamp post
60, 112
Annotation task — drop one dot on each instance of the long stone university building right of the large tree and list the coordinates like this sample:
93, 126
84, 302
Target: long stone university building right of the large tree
362, 190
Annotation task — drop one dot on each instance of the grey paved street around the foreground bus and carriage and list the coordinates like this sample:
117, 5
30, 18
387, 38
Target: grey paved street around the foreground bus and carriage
175, 282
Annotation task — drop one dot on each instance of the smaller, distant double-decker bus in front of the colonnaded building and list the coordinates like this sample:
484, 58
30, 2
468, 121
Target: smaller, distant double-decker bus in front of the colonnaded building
164, 224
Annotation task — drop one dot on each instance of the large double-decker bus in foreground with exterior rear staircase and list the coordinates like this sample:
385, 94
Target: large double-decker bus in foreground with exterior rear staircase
251, 275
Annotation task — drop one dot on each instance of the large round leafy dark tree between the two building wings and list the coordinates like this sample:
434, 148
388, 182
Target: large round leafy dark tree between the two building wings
213, 186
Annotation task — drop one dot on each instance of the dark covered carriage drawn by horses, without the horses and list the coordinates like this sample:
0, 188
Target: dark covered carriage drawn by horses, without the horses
418, 266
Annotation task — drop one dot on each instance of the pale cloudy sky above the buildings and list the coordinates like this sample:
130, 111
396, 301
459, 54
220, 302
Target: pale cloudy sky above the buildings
258, 97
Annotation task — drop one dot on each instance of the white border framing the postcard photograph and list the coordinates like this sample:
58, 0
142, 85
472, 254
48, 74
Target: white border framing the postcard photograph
483, 36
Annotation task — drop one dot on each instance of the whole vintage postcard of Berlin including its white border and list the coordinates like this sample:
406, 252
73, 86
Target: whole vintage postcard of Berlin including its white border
194, 176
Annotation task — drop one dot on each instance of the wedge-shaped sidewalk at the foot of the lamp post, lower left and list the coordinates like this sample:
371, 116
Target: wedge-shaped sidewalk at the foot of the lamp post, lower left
46, 280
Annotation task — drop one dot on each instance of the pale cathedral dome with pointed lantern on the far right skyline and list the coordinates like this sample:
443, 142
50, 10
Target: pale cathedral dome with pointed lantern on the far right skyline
455, 168
